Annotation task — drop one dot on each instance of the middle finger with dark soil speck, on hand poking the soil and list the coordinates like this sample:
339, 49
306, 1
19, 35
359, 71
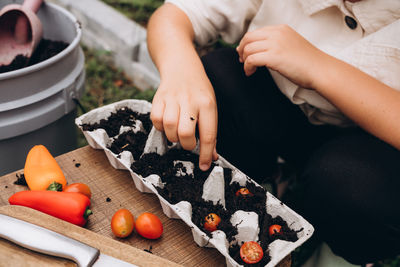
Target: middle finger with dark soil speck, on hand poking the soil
187, 127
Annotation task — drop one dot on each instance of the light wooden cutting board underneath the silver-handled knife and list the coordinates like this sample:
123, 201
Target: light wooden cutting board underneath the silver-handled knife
14, 255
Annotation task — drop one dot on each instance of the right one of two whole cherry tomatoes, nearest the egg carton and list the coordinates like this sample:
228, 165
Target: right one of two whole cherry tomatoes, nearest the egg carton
149, 226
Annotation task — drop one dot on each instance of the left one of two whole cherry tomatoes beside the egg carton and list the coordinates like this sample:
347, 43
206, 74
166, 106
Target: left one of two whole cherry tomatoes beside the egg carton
122, 223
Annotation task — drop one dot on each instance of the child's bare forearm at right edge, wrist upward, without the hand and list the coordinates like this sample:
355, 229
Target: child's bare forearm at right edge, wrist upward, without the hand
371, 104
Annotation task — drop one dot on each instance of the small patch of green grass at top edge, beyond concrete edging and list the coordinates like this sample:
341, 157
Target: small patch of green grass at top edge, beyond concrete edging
137, 10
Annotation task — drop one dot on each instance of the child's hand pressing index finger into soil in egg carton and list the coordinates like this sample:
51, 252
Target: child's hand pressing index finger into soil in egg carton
181, 103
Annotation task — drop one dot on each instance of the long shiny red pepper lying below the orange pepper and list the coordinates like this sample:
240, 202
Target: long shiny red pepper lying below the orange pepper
70, 207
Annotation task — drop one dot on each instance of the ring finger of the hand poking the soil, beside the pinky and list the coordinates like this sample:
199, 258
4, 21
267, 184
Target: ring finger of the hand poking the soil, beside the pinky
171, 120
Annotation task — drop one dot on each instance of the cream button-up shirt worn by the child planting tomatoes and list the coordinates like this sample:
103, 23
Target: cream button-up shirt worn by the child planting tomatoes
373, 46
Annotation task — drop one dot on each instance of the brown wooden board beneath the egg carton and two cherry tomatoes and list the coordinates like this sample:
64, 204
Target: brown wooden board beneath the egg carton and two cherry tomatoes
176, 243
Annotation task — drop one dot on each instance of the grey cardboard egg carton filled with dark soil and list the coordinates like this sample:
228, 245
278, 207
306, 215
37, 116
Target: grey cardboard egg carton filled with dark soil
156, 142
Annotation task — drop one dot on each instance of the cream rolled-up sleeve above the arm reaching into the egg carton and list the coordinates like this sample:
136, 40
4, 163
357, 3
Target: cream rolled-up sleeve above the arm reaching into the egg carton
213, 18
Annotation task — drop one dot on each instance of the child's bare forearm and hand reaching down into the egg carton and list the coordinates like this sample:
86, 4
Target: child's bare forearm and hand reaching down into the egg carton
185, 97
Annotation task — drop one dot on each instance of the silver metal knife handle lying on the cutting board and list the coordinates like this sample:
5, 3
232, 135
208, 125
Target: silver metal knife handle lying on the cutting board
45, 241
